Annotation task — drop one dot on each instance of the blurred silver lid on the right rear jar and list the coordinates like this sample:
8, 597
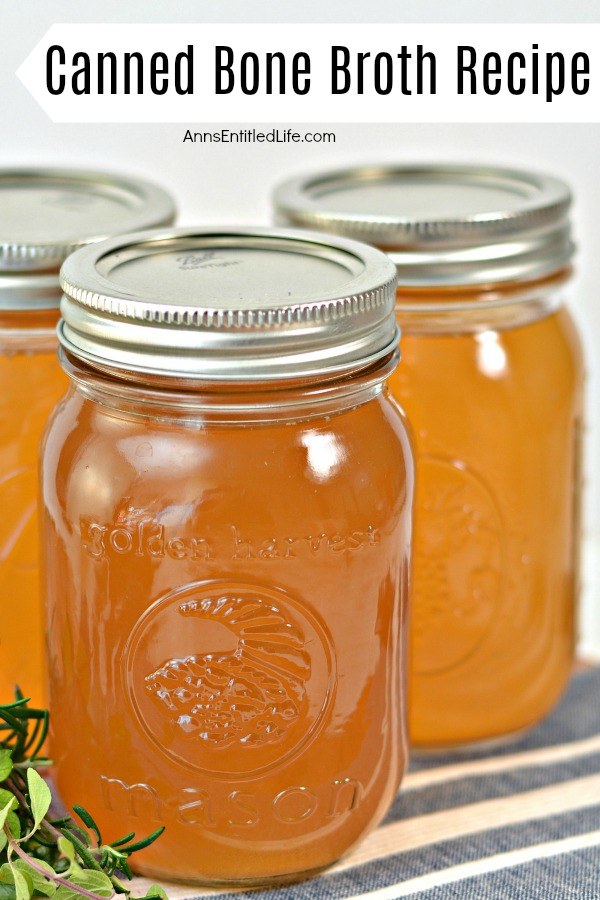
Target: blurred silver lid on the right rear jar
441, 224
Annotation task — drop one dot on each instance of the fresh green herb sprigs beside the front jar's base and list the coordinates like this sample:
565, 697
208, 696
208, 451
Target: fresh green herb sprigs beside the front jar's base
42, 855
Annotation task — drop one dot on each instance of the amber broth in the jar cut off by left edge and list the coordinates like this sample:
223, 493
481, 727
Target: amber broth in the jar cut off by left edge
31, 381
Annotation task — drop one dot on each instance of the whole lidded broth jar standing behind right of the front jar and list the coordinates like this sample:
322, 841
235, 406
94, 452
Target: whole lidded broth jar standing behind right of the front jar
491, 380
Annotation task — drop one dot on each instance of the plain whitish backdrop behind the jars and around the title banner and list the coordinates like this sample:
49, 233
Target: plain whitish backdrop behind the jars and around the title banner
231, 184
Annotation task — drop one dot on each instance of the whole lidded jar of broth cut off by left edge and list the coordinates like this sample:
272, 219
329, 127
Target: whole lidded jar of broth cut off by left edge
44, 214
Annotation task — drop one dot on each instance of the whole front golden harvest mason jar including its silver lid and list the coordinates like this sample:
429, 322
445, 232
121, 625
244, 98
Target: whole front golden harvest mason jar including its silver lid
227, 497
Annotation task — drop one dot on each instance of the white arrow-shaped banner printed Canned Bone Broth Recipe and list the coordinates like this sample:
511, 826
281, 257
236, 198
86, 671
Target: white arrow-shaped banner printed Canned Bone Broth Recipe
316, 73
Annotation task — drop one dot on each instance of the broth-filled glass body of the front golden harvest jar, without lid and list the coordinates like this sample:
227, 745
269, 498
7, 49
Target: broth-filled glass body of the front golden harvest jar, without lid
226, 614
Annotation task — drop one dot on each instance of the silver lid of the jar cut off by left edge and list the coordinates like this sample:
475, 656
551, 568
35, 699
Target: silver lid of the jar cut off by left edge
45, 214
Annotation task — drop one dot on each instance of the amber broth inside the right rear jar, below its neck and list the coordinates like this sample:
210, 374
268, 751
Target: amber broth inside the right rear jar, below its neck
496, 417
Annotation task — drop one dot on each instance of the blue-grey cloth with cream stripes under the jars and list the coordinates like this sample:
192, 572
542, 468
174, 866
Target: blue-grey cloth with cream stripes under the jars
521, 822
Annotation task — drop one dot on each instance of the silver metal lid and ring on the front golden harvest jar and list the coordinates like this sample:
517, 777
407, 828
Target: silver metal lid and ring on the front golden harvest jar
233, 305
